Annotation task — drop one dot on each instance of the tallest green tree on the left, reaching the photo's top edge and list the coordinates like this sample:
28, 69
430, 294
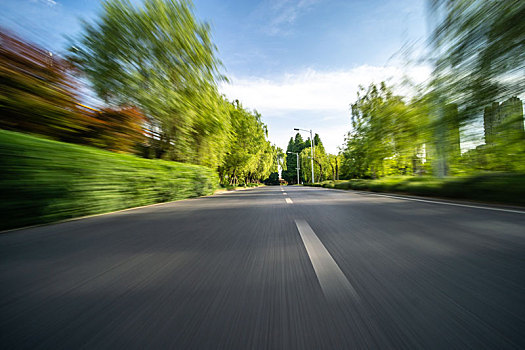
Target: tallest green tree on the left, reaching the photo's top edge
160, 58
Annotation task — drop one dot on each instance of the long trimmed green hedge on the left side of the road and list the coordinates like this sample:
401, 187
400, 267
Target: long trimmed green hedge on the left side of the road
43, 181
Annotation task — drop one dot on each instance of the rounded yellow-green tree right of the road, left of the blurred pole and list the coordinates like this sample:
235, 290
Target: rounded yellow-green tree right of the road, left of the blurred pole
388, 134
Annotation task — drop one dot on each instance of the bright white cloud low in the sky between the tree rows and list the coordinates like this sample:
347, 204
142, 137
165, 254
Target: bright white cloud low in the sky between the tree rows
313, 99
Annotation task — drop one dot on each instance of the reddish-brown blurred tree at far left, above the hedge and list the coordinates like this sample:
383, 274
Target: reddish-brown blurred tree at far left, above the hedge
38, 92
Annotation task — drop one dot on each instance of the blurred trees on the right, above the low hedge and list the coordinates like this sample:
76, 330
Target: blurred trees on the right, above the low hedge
478, 52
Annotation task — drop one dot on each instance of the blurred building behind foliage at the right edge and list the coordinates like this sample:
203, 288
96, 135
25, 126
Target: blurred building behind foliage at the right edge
504, 122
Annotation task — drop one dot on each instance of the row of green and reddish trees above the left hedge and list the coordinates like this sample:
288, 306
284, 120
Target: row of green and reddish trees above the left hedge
152, 74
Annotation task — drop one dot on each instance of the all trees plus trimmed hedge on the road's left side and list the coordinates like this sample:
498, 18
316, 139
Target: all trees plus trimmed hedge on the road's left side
140, 81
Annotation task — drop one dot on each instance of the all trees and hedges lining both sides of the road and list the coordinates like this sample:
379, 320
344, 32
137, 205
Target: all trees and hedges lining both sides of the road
135, 99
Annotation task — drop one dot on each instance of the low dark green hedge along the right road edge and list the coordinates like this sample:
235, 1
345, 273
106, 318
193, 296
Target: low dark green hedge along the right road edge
507, 188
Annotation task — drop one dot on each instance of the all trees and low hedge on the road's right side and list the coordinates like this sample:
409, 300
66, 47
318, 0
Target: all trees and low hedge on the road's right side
460, 135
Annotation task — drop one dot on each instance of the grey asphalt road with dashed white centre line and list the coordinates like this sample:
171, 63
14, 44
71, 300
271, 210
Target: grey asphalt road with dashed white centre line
252, 269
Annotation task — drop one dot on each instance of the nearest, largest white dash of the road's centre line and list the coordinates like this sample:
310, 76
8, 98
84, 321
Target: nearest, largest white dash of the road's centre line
333, 282
